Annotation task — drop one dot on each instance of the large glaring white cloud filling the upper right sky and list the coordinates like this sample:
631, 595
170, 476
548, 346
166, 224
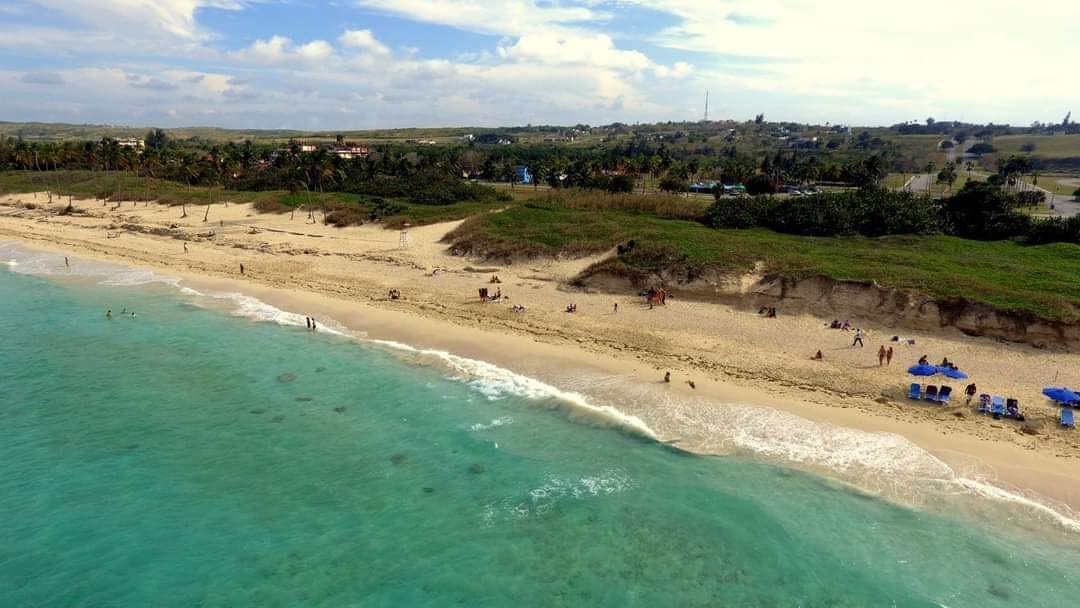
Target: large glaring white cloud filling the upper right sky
923, 55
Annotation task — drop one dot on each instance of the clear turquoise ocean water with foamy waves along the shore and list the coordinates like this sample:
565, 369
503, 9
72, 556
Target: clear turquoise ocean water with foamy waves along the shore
192, 457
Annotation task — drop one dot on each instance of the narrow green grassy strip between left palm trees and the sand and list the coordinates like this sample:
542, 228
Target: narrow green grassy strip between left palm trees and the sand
113, 186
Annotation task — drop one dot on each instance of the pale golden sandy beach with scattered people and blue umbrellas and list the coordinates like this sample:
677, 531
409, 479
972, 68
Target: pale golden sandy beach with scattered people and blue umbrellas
732, 356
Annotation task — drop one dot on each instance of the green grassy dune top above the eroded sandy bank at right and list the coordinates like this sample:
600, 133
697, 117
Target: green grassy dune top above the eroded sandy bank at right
1041, 280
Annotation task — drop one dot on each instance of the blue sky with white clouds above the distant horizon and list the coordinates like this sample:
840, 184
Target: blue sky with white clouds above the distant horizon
371, 64
